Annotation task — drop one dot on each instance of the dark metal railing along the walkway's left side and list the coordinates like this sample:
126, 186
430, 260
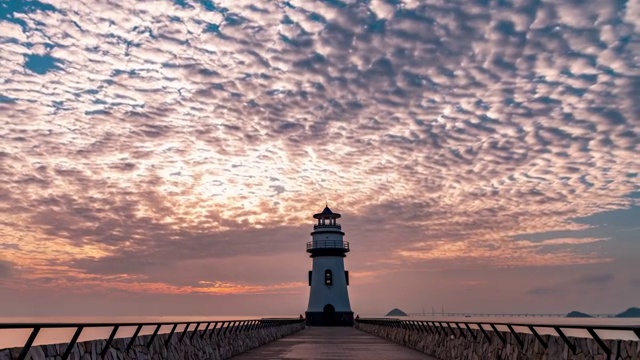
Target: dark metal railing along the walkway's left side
218, 330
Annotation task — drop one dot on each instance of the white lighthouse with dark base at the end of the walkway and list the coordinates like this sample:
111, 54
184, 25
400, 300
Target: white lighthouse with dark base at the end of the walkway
328, 298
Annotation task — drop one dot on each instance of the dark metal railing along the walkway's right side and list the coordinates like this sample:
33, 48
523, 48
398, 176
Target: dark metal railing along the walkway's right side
445, 327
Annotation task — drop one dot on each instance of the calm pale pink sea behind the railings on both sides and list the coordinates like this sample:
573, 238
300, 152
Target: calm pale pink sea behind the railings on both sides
17, 337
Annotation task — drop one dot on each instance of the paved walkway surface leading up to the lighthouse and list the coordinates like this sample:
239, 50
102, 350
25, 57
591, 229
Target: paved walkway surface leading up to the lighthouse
333, 343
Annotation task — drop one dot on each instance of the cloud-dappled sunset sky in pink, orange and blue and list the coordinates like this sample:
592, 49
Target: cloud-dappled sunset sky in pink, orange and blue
166, 157
